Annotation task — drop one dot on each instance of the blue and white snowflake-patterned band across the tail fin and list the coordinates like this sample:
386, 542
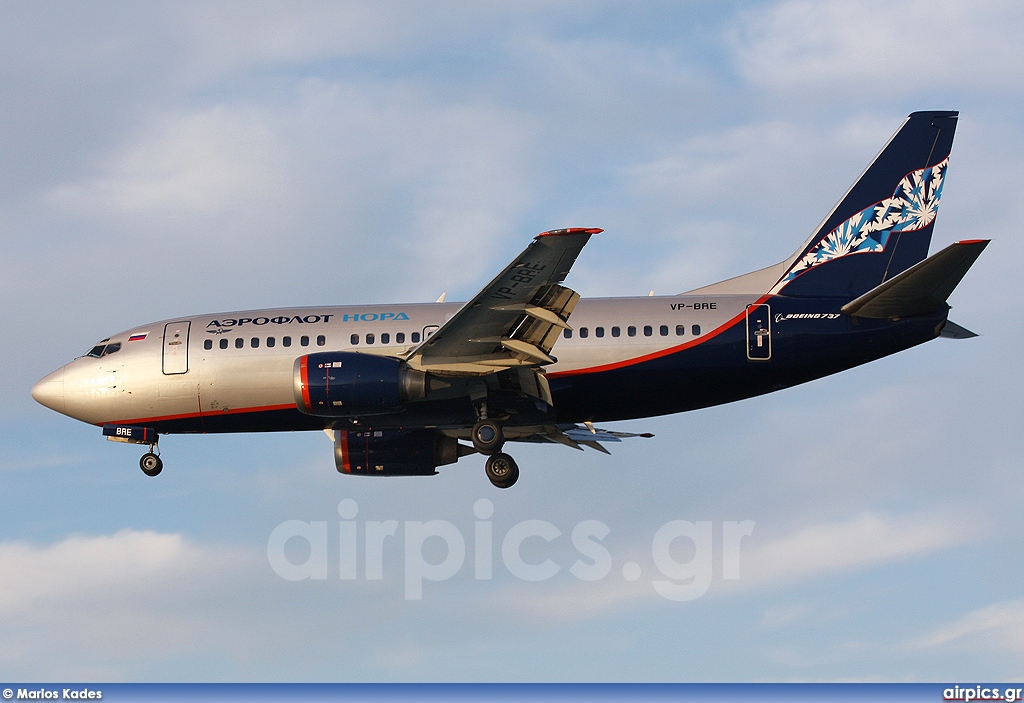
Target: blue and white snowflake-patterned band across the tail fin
913, 207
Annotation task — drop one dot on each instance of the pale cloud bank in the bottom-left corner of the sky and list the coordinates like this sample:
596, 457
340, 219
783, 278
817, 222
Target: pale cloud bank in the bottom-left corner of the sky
108, 606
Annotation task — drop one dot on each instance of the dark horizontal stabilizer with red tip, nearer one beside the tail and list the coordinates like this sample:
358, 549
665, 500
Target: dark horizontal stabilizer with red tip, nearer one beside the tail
921, 290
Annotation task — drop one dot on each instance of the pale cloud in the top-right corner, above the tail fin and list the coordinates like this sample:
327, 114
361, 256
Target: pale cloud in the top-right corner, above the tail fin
901, 49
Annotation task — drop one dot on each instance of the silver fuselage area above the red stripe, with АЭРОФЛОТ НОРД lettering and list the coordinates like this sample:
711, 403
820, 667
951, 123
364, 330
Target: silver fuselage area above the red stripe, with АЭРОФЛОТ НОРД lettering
242, 362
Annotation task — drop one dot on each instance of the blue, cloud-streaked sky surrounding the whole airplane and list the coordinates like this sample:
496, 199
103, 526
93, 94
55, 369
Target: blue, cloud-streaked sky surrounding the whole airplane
159, 161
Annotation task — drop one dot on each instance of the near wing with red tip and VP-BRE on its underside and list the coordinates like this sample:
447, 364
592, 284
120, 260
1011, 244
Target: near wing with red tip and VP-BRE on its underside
517, 319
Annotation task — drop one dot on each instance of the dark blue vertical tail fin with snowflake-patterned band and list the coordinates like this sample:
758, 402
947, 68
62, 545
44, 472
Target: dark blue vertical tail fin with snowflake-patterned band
884, 225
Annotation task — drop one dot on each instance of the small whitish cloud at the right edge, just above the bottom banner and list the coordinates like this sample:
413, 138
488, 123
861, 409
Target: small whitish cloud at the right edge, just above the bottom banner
999, 627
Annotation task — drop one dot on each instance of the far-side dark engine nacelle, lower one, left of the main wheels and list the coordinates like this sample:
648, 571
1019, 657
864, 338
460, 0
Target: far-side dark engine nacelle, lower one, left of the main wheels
395, 453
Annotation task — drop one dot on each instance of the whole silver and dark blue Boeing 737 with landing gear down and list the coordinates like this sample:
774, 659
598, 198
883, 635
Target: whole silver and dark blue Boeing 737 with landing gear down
405, 389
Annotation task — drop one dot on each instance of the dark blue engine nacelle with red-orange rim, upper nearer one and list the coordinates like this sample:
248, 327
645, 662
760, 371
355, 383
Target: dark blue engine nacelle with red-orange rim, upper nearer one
349, 384
